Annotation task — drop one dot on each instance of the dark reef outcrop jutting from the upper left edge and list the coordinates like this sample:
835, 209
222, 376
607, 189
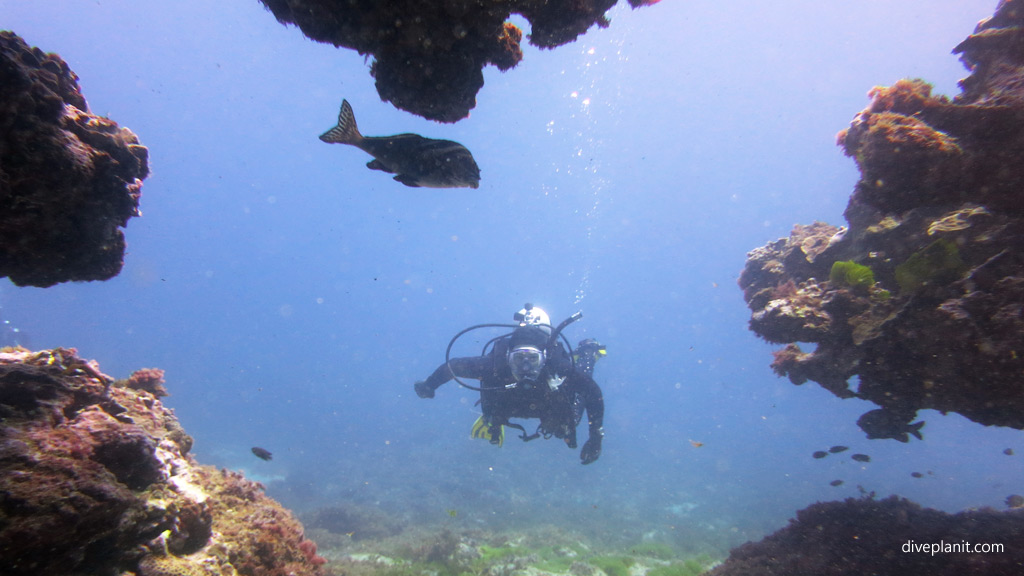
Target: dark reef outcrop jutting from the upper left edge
69, 180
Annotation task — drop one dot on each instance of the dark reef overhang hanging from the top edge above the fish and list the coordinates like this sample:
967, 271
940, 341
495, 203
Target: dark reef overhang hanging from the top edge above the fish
430, 55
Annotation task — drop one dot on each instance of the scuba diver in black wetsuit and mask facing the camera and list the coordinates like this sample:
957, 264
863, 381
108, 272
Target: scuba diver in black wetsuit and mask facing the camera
529, 375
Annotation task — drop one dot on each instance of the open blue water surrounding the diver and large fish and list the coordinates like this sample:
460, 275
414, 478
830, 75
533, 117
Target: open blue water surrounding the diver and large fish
293, 297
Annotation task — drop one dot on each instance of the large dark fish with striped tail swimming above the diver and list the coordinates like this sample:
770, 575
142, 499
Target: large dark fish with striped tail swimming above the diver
414, 160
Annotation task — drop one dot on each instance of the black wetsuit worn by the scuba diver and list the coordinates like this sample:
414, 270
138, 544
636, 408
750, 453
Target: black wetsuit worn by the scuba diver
560, 409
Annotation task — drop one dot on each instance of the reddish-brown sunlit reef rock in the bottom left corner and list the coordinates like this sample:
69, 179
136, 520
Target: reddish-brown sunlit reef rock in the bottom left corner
96, 479
